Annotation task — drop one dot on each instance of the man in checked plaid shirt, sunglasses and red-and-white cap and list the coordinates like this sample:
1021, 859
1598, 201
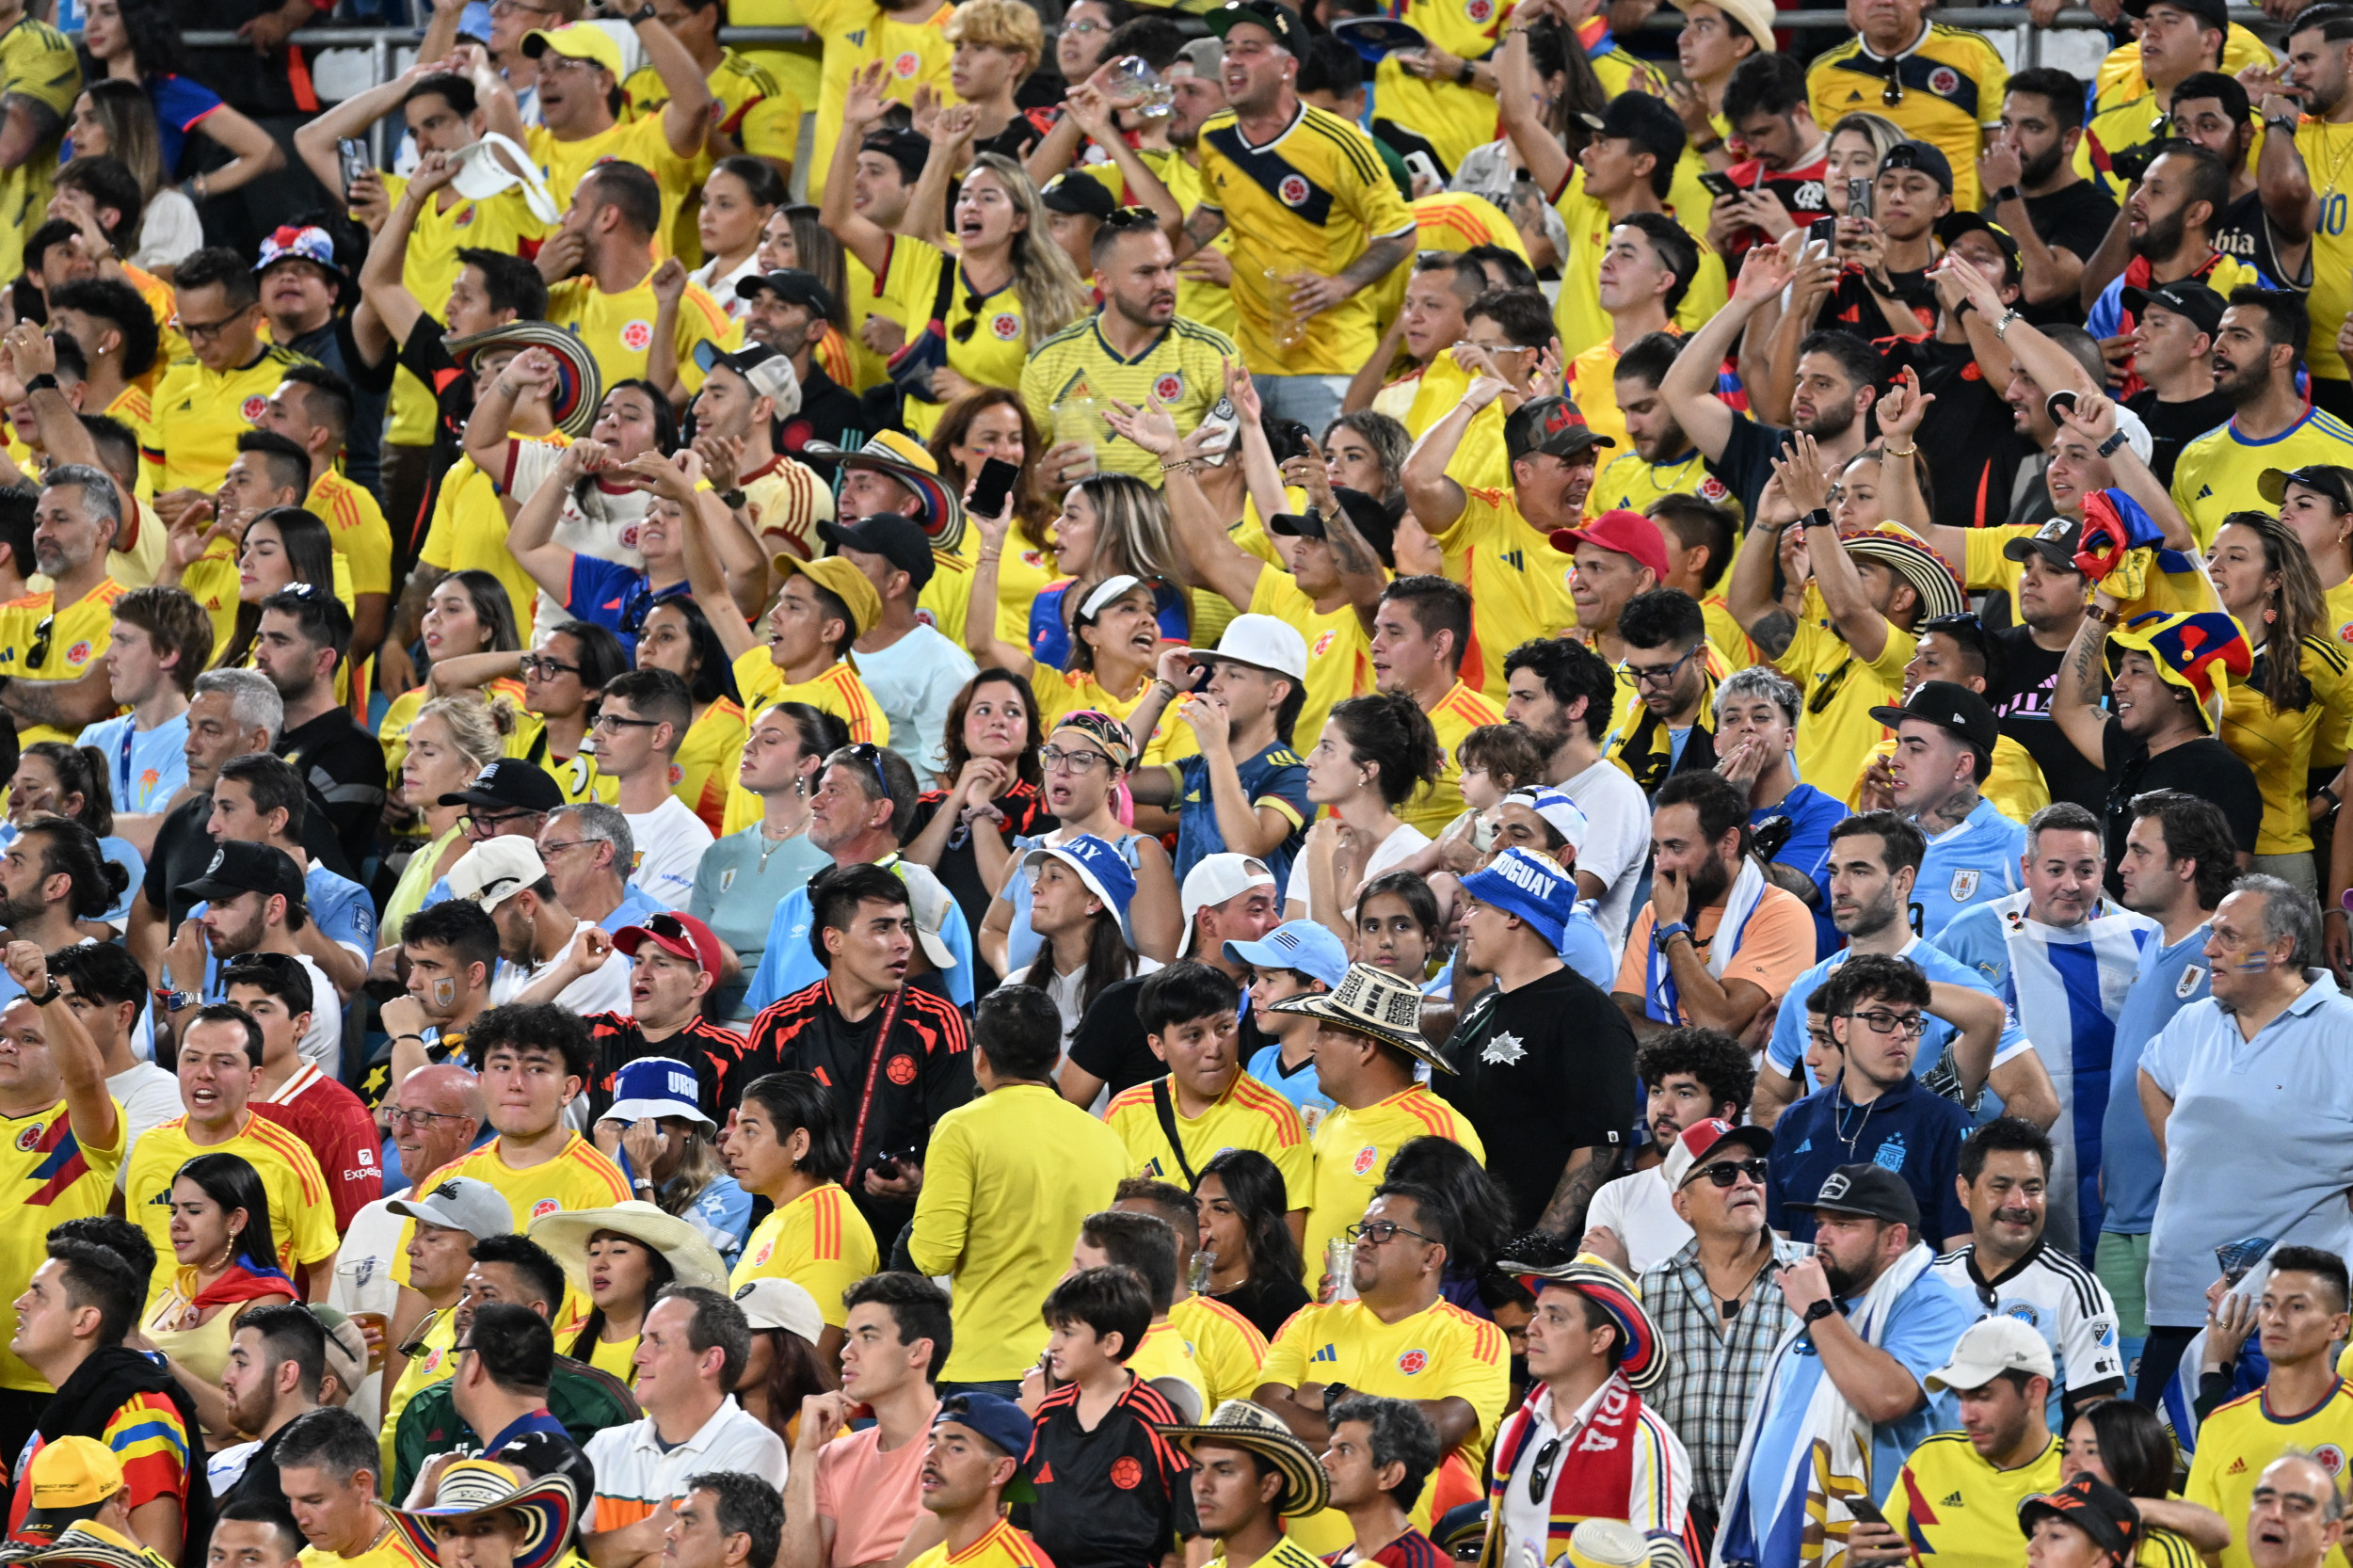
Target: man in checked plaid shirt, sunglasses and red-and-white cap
1714, 1303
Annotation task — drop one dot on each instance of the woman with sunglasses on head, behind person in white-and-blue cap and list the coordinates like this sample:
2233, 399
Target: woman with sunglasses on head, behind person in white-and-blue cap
1084, 762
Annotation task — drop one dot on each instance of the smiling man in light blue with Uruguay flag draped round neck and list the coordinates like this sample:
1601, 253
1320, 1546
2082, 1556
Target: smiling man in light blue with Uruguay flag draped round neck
2065, 959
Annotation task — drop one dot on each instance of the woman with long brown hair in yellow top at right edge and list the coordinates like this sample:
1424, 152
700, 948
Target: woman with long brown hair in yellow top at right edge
2269, 585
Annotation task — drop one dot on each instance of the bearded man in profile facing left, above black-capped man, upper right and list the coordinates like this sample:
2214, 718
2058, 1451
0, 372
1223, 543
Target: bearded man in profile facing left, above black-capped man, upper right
2171, 222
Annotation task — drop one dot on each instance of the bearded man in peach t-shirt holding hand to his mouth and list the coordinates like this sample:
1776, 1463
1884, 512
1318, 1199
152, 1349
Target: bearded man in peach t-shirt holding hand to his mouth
1717, 945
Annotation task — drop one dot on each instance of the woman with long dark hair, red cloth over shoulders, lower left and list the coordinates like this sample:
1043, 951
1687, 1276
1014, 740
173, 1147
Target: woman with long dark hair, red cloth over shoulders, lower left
227, 1263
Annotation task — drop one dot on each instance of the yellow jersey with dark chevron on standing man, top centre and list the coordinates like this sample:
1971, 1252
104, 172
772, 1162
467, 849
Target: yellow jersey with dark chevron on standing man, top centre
1309, 201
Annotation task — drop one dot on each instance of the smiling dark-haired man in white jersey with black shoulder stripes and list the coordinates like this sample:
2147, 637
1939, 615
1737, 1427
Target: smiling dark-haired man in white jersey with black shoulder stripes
2006, 1181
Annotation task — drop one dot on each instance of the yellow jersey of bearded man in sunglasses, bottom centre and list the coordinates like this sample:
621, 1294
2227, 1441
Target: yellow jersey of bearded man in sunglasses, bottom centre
1439, 1353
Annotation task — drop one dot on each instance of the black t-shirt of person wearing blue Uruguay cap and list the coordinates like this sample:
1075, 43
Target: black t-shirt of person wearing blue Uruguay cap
1542, 1072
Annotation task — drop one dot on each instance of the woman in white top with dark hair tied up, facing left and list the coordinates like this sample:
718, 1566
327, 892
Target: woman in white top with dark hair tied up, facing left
1371, 759
